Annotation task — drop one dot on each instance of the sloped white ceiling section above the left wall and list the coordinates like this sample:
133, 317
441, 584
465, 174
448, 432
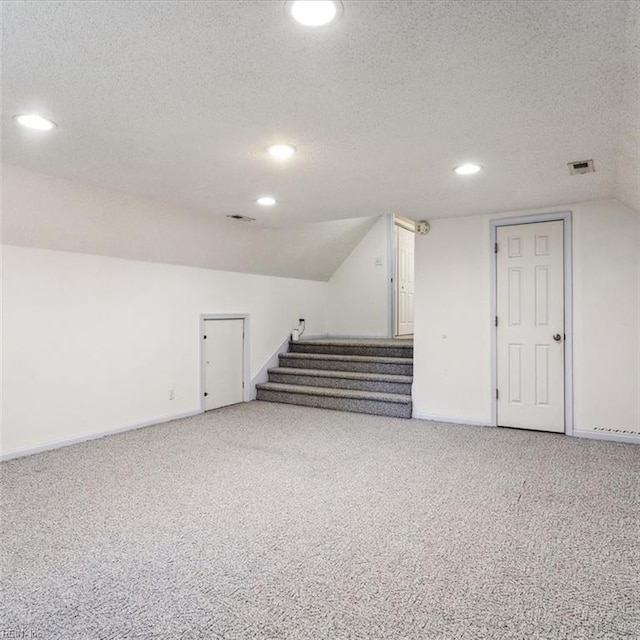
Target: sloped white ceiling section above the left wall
49, 212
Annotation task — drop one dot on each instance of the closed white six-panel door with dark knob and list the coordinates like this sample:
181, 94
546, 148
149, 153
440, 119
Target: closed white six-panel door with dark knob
530, 329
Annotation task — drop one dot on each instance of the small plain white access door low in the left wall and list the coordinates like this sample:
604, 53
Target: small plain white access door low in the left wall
224, 362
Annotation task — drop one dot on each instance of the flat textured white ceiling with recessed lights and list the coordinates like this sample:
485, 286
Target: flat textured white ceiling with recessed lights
178, 101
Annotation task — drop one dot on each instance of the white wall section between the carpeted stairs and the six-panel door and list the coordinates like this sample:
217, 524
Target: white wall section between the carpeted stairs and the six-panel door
452, 366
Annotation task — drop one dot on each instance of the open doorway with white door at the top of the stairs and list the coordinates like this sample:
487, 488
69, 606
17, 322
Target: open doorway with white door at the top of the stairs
404, 276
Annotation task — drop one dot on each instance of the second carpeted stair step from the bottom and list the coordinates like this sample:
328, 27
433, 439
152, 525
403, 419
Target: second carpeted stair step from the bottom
385, 383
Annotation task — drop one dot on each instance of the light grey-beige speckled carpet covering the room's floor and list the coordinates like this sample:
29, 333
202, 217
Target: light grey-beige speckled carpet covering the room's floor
276, 522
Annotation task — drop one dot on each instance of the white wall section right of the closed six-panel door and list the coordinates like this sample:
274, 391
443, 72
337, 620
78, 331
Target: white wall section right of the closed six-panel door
607, 317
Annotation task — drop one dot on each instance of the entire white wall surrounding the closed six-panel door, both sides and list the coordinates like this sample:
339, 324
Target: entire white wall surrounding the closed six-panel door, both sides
452, 368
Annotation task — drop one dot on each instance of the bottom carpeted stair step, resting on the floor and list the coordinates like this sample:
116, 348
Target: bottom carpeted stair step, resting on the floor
387, 404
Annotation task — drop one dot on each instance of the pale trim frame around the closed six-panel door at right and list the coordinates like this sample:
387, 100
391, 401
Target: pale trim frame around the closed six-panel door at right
565, 217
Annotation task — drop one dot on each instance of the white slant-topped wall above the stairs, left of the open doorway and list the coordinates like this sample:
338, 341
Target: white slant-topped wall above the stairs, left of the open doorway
359, 289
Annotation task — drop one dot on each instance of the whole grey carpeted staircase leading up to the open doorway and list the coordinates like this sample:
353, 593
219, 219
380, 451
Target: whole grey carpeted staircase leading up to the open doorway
365, 376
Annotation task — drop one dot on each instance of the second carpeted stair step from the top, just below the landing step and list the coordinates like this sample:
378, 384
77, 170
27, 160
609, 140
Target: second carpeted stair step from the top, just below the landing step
336, 362
